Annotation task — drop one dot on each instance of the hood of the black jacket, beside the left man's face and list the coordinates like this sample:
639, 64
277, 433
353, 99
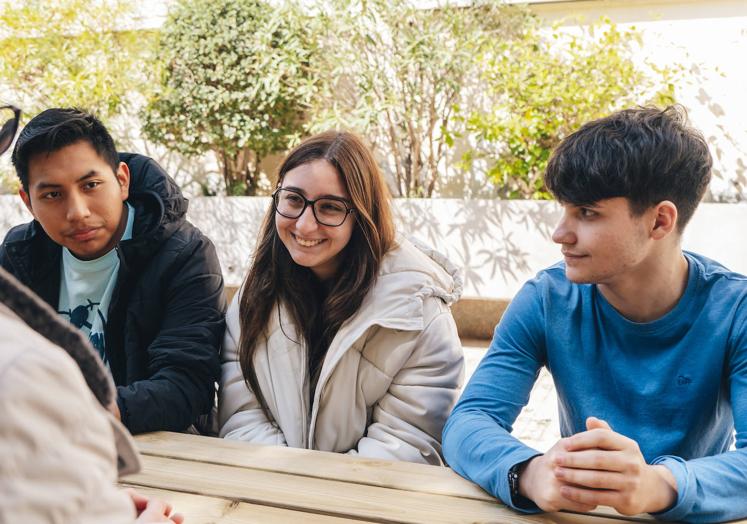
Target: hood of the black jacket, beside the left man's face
160, 207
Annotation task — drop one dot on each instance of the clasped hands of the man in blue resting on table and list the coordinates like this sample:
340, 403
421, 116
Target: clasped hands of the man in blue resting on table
597, 467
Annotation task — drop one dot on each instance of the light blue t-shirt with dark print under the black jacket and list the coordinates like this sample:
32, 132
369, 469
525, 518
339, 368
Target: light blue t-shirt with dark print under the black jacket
86, 288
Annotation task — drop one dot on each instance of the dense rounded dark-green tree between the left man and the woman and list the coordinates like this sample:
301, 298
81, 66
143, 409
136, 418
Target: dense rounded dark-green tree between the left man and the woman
235, 80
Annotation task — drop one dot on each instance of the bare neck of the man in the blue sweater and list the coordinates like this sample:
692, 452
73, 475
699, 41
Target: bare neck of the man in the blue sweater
652, 290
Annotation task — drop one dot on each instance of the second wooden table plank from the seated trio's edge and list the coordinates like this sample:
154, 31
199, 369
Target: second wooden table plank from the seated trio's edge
330, 497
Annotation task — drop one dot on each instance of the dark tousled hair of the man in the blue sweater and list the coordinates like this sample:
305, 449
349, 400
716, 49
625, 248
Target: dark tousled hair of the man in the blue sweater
646, 155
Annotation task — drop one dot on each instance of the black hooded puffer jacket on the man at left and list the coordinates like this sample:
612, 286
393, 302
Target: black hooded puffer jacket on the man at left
166, 317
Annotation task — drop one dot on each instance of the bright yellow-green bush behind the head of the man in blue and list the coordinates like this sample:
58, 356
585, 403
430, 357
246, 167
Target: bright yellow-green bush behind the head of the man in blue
542, 85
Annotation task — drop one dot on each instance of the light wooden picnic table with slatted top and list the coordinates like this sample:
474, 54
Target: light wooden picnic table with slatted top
218, 481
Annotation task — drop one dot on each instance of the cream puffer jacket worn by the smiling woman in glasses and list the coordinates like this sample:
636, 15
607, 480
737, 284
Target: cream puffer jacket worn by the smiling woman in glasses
388, 382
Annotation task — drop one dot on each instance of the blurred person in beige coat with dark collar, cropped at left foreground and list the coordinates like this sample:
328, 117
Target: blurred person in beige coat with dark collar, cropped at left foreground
60, 450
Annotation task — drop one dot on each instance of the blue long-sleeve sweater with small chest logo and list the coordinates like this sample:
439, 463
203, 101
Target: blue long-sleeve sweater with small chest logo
677, 385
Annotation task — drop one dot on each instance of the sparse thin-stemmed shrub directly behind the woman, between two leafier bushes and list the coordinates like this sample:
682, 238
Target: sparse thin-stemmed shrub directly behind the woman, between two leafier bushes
401, 74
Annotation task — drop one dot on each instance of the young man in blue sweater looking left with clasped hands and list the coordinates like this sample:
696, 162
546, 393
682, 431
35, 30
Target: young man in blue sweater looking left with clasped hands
647, 344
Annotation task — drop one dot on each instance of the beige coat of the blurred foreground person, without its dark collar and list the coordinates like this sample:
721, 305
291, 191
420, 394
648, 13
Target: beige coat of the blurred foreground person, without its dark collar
58, 446
